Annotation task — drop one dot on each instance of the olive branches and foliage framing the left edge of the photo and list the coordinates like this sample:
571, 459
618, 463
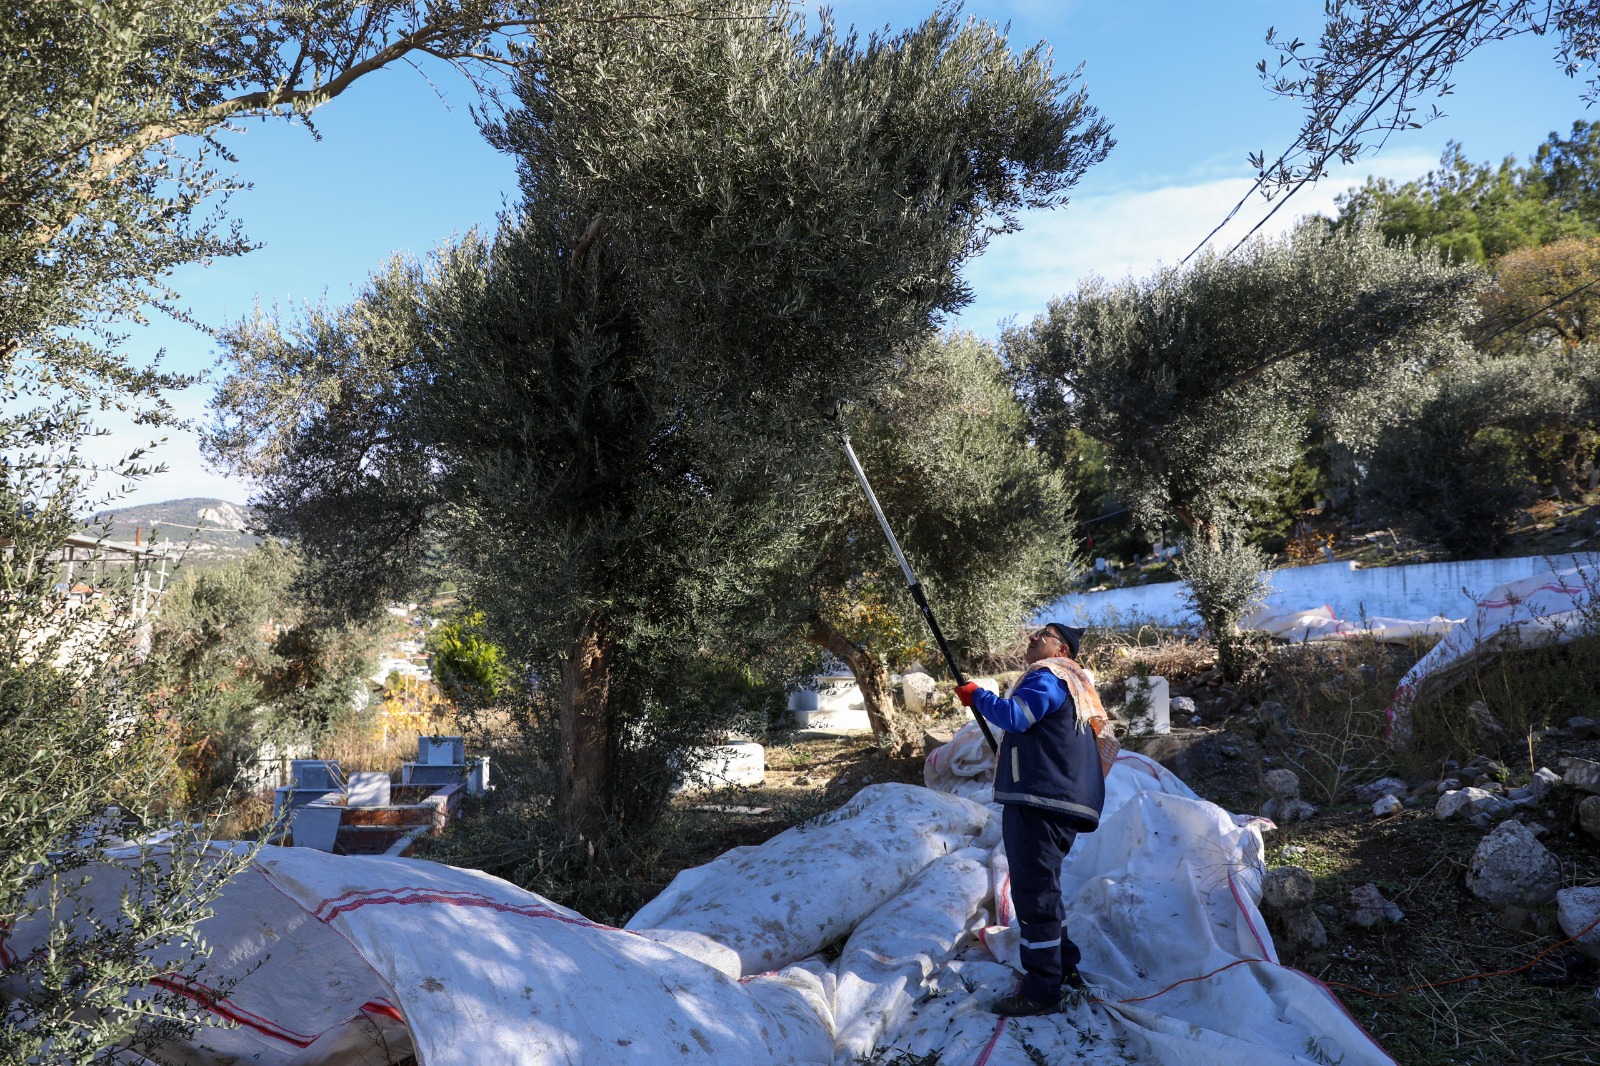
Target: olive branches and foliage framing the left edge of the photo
113, 175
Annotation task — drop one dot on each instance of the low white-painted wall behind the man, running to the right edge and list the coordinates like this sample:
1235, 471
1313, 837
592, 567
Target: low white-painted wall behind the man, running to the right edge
1417, 591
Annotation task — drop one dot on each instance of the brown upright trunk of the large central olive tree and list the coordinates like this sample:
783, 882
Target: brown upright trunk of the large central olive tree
586, 732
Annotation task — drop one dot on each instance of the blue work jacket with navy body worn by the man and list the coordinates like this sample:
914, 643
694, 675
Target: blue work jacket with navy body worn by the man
1047, 759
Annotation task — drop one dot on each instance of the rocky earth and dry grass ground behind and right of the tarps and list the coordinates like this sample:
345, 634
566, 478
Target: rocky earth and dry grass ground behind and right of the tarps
1442, 936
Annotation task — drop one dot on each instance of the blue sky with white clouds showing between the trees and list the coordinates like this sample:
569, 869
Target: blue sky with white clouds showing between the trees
401, 169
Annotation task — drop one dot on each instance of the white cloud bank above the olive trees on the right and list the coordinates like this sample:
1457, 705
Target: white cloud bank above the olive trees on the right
1135, 233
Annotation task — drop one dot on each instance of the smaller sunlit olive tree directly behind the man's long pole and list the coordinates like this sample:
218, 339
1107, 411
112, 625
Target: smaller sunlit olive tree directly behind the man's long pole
983, 519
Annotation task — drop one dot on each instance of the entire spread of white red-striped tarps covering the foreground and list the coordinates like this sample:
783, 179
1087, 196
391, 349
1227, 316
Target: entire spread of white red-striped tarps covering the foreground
369, 961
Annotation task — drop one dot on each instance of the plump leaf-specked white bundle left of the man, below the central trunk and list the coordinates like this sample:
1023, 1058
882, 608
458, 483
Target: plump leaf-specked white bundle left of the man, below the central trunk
810, 886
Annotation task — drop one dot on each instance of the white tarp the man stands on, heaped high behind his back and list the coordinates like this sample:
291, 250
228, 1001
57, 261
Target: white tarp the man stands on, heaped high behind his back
1164, 904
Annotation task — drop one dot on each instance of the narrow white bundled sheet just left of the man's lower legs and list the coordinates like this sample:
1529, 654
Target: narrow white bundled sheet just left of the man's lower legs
894, 952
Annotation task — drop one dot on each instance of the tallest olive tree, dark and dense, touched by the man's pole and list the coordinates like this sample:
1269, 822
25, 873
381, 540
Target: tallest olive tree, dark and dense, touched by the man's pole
612, 412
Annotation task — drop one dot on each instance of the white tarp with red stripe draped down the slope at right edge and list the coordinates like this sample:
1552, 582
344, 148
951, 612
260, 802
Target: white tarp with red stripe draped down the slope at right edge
1550, 607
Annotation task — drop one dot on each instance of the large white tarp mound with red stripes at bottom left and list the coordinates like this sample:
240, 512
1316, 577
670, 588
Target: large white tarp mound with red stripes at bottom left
361, 961
